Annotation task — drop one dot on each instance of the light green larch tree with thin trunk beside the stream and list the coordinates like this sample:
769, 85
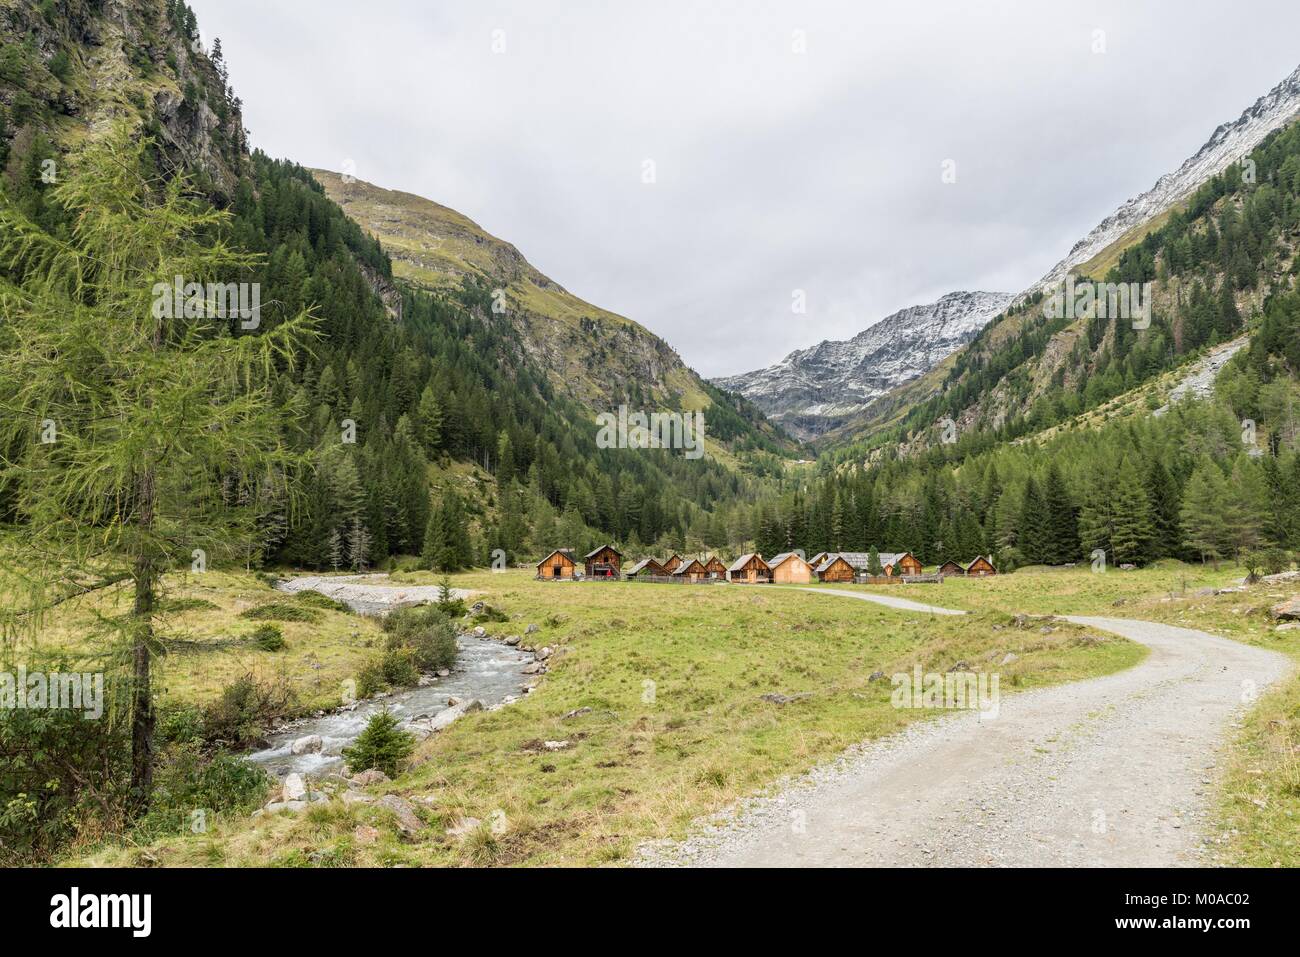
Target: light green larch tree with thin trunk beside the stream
135, 412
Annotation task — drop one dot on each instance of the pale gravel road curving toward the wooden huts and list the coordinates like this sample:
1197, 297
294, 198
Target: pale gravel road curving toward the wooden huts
1115, 772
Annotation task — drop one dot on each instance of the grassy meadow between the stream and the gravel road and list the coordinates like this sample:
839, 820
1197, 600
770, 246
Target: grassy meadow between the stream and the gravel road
669, 685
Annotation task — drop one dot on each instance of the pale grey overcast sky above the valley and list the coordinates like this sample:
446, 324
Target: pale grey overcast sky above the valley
775, 170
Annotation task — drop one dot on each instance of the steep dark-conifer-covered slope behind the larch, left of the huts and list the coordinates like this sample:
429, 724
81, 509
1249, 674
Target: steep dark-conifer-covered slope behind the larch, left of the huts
431, 430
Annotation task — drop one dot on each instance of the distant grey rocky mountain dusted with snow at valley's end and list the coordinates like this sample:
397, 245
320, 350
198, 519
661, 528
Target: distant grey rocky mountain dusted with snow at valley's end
817, 389
